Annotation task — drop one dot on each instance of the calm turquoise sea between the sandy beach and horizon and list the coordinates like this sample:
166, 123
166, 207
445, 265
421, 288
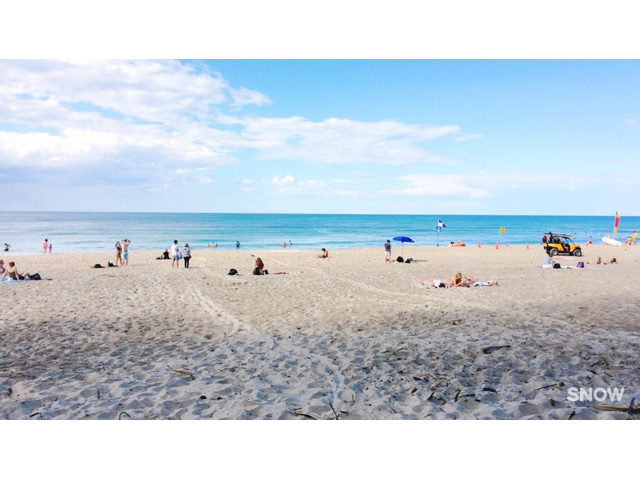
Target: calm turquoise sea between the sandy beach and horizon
97, 232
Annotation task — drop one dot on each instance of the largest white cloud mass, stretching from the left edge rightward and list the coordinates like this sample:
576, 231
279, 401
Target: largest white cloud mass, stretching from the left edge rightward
78, 118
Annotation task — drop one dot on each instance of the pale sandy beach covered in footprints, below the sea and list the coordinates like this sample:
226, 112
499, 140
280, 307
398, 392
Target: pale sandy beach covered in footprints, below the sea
347, 337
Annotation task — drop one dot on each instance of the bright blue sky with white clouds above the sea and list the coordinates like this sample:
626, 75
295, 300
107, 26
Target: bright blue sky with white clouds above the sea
319, 136
